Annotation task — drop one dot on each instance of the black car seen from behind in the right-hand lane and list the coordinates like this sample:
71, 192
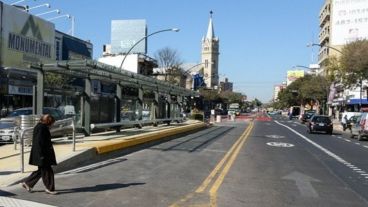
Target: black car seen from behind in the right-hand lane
320, 123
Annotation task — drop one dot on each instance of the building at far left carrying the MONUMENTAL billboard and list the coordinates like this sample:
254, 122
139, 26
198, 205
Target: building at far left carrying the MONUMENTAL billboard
27, 40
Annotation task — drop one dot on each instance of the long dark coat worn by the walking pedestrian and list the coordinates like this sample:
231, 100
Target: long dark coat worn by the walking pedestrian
42, 152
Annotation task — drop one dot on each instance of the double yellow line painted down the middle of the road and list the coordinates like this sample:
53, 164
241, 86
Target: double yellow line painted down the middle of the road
227, 160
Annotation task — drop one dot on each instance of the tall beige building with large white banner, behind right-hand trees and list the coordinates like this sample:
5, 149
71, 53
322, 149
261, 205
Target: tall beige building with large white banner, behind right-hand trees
341, 22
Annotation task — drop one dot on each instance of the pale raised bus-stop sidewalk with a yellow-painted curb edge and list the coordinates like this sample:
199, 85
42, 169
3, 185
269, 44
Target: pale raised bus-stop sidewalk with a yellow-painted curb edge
88, 149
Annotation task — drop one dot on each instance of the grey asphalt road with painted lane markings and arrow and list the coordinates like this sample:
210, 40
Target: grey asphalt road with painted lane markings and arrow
260, 163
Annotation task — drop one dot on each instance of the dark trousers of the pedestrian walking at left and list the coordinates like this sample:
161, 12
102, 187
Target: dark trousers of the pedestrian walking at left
47, 175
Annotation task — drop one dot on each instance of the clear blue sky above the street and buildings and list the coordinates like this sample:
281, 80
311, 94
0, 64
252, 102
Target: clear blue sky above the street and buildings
259, 40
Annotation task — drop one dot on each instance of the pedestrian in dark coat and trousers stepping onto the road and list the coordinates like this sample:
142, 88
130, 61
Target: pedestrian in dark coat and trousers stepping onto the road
43, 156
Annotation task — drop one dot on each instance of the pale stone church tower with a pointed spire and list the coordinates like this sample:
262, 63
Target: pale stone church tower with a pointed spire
210, 56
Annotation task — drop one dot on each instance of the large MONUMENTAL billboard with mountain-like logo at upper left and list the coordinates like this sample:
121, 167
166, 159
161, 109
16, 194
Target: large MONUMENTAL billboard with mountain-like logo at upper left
26, 39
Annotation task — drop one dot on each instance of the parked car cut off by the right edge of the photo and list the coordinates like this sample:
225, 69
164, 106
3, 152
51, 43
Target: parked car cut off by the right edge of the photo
359, 126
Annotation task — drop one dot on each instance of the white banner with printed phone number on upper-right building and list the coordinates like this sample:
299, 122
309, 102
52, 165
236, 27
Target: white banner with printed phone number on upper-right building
349, 21
